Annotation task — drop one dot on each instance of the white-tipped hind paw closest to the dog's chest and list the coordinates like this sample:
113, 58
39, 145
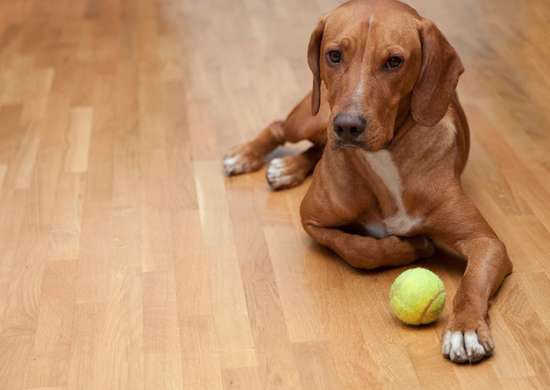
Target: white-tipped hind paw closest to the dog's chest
286, 172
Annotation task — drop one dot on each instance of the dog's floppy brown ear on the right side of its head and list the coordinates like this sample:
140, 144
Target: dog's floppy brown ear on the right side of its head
441, 68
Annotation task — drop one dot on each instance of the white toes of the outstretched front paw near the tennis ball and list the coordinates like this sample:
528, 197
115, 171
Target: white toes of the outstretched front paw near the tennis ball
462, 347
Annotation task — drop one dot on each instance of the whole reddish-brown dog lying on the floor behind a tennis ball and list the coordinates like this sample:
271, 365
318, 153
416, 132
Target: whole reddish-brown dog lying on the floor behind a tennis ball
388, 180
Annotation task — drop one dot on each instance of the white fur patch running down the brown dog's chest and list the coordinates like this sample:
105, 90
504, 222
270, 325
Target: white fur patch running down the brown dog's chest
382, 164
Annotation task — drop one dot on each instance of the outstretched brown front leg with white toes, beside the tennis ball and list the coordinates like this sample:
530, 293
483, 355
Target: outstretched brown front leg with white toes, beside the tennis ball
467, 337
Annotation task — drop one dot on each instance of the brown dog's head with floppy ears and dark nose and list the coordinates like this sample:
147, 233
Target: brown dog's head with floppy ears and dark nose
377, 58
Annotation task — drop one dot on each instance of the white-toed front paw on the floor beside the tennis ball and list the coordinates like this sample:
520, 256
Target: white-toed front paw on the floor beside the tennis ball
467, 345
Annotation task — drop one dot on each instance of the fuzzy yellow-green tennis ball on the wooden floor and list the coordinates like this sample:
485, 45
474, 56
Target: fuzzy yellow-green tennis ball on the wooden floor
417, 296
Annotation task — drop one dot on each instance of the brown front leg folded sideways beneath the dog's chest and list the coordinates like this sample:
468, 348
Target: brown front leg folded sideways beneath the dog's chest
369, 253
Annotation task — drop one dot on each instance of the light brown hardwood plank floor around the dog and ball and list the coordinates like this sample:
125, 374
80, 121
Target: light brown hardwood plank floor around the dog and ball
127, 260
